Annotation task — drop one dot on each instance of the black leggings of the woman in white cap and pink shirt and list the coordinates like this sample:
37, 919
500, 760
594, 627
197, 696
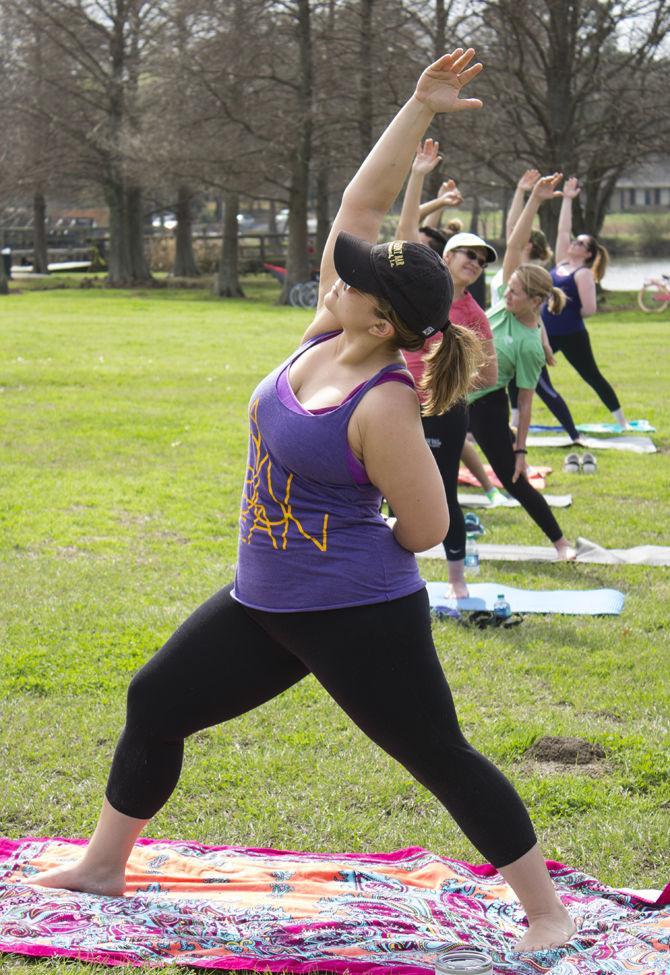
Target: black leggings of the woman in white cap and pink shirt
445, 435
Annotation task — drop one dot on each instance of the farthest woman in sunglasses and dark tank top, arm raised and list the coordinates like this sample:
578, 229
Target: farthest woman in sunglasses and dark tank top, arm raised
580, 263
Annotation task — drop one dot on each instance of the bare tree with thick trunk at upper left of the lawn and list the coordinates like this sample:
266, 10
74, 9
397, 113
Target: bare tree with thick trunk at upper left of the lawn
101, 47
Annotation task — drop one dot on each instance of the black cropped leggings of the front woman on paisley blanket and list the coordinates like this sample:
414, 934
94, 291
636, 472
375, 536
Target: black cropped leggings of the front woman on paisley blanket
379, 664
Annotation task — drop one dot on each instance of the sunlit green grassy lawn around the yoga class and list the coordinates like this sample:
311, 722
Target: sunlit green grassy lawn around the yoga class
123, 447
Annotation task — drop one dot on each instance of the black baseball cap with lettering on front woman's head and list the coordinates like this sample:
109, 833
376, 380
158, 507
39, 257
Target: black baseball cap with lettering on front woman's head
412, 277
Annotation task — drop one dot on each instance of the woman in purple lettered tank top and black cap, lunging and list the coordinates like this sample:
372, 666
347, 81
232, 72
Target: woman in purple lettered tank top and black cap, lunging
323, 585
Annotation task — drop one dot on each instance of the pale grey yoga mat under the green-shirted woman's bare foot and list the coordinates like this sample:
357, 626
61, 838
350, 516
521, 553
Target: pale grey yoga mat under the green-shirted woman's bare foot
586, 552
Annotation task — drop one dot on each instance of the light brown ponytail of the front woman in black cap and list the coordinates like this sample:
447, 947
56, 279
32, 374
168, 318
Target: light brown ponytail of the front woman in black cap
451, 366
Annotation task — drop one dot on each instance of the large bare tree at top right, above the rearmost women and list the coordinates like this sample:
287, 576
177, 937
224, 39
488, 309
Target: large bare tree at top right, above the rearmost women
575, 86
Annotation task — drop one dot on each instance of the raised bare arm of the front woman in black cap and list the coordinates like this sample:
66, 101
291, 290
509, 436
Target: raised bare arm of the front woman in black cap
375, 186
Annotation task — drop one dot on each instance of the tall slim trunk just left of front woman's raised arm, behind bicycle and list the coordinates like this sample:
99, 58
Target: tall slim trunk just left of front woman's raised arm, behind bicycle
297, 259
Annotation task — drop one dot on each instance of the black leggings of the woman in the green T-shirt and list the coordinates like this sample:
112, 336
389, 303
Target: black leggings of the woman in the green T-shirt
489, 423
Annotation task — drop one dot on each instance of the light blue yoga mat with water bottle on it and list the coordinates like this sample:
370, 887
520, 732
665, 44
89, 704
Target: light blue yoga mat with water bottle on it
570, 602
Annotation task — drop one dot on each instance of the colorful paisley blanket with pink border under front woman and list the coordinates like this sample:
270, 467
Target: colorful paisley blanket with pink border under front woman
272, 910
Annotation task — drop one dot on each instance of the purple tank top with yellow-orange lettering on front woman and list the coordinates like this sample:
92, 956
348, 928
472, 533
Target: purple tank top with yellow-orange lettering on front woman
311, 535
